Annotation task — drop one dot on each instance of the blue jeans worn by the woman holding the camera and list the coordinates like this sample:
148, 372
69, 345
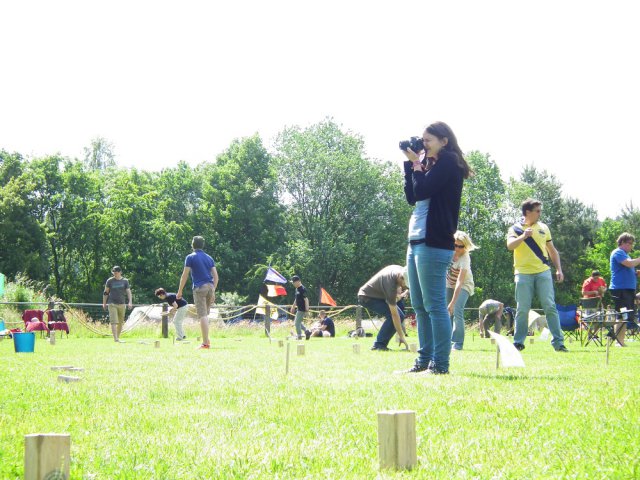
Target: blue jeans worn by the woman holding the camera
427, 271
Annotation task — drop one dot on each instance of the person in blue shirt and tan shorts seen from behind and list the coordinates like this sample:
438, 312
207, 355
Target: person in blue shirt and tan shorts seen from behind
204, 276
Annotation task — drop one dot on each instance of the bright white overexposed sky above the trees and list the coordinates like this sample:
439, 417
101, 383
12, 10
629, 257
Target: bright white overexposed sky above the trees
550, 83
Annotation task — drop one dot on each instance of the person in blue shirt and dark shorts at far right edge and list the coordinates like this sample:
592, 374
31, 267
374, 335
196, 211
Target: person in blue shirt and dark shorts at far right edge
624, 282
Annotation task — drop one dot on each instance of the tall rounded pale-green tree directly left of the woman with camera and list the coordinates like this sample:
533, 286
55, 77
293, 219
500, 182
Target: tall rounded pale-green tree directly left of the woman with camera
346, 215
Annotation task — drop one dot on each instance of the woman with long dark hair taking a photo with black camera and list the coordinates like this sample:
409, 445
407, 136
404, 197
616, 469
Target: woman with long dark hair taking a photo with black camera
433, 184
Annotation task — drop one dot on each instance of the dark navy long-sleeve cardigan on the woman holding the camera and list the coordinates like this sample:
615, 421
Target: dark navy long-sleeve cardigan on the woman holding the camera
443, 185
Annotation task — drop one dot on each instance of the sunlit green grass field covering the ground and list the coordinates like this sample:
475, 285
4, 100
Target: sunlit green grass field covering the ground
231, 412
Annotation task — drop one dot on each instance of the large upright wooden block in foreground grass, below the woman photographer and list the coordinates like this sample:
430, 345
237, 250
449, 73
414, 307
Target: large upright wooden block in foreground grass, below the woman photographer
397, 439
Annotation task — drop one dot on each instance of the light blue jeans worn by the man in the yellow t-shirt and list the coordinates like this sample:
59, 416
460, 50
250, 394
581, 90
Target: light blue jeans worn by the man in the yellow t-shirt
542, 285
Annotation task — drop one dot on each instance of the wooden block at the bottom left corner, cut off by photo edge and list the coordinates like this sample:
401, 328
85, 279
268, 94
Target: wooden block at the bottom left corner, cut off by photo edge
47, 455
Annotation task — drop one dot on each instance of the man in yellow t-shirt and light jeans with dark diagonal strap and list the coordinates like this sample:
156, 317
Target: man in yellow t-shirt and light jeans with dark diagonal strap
532, 246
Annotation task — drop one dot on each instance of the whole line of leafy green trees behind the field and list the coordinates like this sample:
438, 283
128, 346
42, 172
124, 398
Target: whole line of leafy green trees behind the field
315, 205
